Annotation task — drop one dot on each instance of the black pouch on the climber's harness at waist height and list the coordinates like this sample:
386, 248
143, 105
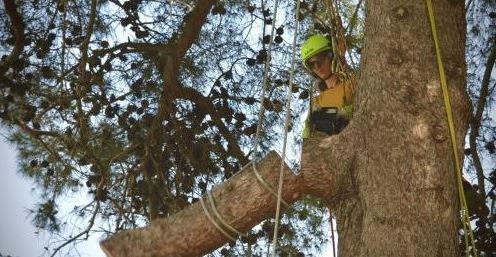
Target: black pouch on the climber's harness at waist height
328, 121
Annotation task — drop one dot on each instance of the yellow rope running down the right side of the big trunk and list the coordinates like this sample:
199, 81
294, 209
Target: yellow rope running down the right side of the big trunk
467, 230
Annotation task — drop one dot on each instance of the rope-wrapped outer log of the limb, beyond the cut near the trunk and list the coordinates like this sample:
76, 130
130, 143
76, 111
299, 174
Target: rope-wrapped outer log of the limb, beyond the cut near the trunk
242, 201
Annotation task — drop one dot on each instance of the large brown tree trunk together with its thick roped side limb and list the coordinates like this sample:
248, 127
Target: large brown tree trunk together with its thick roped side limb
388, 177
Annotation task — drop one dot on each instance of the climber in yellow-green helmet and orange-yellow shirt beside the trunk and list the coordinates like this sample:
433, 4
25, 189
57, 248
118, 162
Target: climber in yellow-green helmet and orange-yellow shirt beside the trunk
332, 108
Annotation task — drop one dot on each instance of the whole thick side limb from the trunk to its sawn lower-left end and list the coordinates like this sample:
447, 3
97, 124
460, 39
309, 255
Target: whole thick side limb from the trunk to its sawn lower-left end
243, 202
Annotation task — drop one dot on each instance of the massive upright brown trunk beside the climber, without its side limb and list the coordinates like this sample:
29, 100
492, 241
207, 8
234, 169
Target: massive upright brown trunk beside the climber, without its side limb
406, 202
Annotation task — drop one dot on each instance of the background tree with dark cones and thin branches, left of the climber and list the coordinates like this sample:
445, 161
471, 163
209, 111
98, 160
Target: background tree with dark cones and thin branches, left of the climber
108, 97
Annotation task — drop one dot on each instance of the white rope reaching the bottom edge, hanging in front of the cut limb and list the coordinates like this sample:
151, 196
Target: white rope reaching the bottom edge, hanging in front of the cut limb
286, 129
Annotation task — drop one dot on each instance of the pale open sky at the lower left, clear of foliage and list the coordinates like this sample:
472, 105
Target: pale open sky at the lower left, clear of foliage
17, 235
